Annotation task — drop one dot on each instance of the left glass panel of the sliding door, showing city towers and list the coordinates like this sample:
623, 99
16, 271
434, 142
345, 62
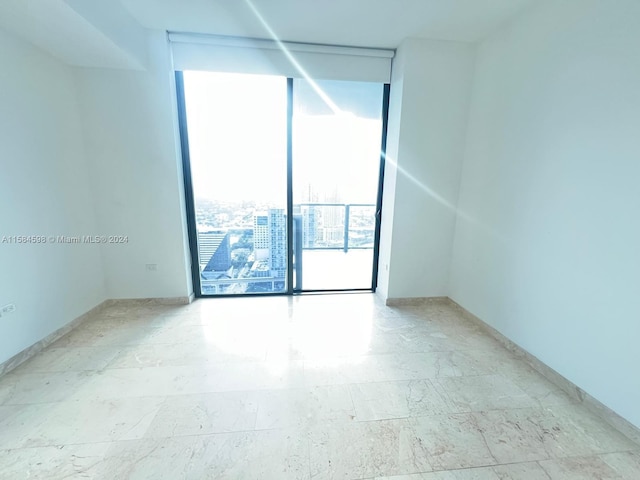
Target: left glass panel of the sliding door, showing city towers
237, 130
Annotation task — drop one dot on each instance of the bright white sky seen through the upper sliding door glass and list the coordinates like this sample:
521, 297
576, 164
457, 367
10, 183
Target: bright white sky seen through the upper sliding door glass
237, 128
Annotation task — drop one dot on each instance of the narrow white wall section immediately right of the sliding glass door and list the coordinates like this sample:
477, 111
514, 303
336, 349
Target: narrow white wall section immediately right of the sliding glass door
431, 86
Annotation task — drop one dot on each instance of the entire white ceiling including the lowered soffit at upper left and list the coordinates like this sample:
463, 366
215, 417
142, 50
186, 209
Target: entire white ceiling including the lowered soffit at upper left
109, 33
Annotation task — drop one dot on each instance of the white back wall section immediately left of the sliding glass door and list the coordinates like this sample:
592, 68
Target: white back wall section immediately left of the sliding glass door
131, 139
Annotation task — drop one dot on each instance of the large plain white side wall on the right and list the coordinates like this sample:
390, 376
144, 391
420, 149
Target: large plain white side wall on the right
547, 240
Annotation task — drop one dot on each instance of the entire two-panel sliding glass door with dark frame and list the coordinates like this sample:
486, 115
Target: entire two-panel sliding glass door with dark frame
282, 182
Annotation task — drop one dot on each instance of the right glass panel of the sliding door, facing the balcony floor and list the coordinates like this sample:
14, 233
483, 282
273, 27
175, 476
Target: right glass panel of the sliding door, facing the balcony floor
336, 138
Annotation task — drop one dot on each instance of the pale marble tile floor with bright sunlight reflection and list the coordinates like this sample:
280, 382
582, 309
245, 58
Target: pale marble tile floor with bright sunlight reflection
310, 387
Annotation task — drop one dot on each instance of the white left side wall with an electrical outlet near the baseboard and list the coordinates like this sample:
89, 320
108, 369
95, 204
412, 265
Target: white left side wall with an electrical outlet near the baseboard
44, 190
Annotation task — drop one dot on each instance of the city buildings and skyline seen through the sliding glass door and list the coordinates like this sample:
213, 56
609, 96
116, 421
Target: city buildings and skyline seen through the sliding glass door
259, 249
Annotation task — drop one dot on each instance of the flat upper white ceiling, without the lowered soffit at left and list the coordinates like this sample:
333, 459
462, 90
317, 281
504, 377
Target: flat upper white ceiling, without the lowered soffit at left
373, 23
